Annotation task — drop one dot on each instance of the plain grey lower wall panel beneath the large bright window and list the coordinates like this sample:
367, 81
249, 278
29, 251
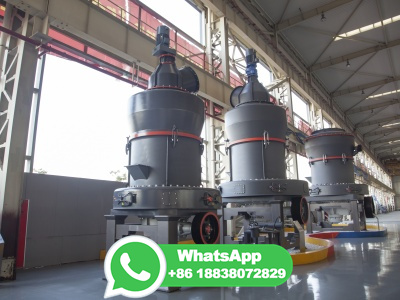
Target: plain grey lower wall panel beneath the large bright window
66, 218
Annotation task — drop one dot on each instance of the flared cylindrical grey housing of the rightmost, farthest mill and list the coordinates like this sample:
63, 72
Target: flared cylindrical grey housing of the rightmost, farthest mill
330, 153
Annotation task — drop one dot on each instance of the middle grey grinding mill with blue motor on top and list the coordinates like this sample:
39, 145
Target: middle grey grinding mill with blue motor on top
254, 199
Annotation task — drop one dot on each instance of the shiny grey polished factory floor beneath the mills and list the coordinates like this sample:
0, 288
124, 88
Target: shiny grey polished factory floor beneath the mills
367, 268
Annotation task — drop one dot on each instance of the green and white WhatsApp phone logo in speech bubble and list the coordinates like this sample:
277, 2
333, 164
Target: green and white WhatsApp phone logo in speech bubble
135, 267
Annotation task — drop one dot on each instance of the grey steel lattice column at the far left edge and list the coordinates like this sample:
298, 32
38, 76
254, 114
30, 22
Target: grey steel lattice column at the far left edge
17, 81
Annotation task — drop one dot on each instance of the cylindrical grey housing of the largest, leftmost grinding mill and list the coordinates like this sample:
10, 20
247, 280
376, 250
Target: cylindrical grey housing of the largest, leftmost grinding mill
156, 115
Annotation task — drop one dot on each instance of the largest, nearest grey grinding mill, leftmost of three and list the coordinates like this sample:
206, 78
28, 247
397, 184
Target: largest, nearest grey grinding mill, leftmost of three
165, 150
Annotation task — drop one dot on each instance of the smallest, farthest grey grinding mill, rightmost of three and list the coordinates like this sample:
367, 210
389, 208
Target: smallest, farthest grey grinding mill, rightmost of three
334, 197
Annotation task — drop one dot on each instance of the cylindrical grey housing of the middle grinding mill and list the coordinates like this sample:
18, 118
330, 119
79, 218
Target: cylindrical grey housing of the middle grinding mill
262, 122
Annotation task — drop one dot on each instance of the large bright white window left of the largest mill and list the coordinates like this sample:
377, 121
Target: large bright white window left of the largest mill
82, 125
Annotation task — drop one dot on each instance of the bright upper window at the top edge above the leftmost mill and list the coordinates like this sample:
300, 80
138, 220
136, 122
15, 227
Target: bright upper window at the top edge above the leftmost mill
183, 14
